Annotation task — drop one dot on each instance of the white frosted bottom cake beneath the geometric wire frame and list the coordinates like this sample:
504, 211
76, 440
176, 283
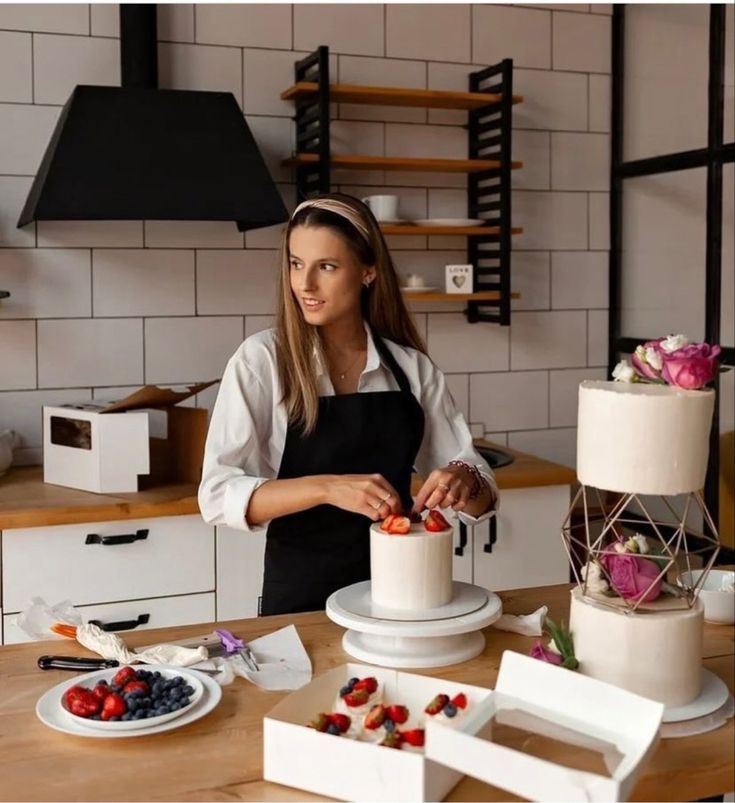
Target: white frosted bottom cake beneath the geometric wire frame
655, 654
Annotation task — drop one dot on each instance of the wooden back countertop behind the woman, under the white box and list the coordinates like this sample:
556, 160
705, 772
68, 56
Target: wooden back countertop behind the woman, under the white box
26, 501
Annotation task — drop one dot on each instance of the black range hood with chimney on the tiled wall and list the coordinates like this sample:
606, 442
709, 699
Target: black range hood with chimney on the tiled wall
137, 152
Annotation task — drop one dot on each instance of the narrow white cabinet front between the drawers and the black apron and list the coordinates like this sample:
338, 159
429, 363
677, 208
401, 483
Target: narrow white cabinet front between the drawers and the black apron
239, 573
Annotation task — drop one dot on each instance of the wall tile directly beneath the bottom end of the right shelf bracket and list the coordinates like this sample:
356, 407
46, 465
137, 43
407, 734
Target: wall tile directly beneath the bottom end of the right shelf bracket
459, 348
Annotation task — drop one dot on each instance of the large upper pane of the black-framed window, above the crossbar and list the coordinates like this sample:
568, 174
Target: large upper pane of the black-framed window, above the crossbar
666, 77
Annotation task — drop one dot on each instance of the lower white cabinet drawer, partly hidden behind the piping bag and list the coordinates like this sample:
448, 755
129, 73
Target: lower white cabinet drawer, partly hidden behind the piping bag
164, 612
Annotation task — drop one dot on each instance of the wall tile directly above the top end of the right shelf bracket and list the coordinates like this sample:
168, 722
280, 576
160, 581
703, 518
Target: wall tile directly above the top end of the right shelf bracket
500, 32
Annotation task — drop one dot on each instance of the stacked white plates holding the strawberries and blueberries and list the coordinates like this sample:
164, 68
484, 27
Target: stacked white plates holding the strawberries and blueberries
50, 711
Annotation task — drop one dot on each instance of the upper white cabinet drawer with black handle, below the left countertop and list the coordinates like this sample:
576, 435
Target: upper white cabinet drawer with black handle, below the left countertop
171, 555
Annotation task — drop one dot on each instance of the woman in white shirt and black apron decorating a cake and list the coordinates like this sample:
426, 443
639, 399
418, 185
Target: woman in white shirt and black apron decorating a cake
319, 422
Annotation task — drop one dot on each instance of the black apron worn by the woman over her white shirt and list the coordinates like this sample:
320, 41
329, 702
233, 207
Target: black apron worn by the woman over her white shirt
311, 554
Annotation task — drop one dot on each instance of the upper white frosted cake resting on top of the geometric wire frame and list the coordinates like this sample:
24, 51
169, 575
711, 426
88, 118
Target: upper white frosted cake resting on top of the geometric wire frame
643, 439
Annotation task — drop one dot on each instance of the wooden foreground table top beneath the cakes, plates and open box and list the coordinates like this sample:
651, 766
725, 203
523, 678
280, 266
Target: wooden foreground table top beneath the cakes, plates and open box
220, 756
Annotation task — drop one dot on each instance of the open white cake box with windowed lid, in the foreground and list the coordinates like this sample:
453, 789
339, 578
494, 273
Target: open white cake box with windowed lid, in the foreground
530, 695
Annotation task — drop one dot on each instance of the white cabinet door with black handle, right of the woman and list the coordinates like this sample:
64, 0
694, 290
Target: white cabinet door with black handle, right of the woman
528, 549
